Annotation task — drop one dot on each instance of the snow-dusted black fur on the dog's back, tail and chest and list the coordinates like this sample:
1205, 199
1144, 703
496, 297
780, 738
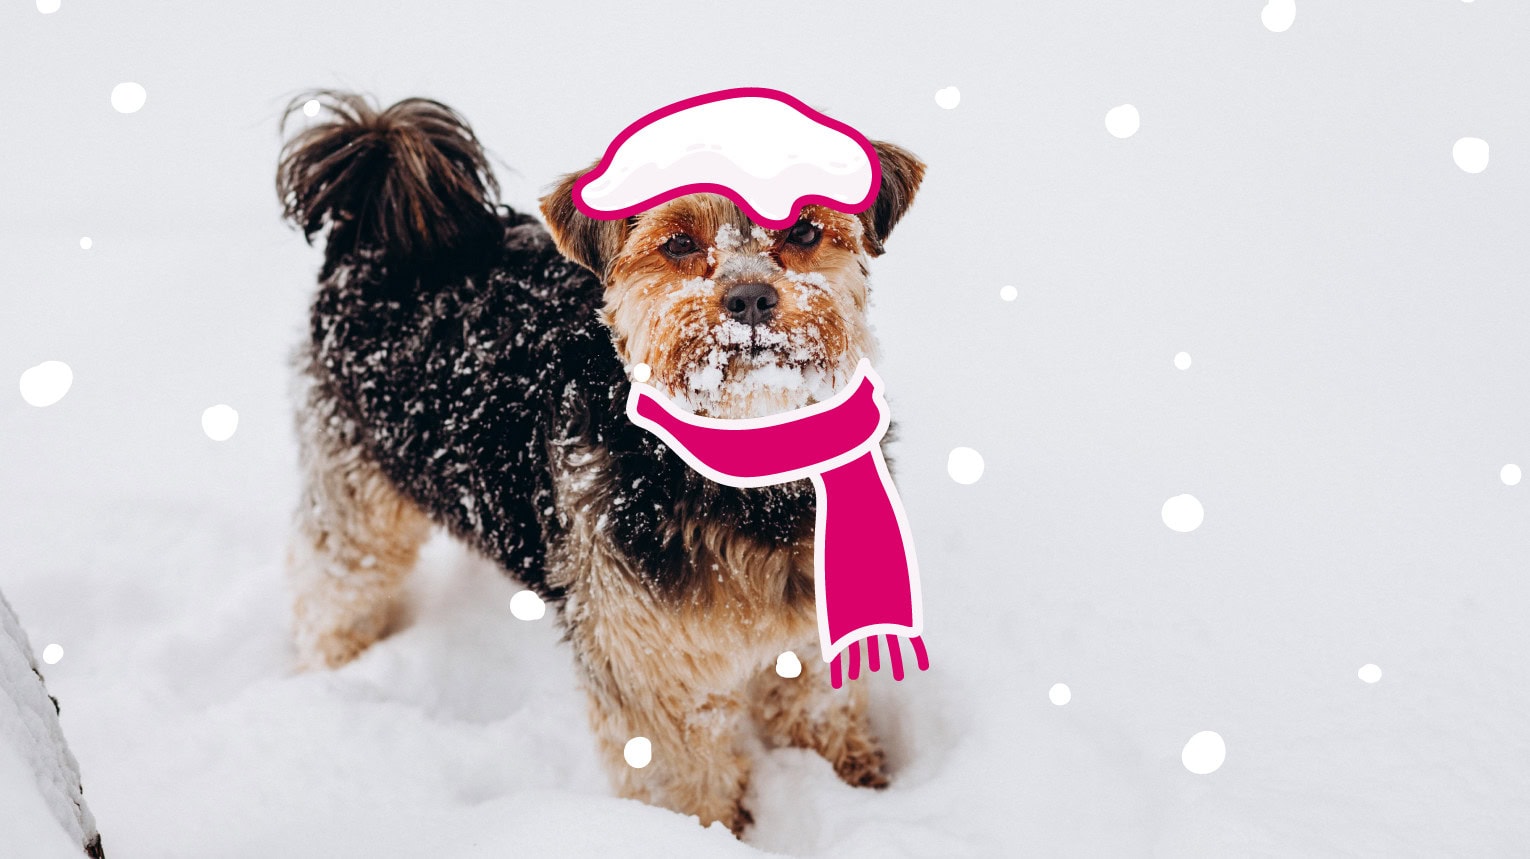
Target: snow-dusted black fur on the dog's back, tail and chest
461, 370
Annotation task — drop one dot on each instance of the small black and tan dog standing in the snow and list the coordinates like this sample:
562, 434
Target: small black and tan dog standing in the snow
467, 368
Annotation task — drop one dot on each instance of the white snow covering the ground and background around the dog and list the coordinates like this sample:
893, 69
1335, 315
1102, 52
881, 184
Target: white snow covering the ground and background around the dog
1289, 215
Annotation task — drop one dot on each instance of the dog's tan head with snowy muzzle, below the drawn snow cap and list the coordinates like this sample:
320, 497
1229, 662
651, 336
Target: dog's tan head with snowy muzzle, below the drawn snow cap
732, 319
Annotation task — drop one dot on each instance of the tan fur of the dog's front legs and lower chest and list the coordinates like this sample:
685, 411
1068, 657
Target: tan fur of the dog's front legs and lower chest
697, 678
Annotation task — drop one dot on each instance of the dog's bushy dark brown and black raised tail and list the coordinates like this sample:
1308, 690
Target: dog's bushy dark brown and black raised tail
411, 181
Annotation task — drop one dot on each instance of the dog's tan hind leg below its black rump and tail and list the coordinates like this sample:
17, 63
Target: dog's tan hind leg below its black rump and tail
353, 546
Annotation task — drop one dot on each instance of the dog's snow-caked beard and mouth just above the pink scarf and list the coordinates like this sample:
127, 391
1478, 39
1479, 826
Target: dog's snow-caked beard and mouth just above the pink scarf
754, 371
